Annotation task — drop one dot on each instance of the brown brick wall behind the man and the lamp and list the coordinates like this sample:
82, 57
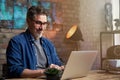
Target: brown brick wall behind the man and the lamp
87, 14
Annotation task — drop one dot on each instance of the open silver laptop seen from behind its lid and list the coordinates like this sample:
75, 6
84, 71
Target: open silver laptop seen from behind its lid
79, 64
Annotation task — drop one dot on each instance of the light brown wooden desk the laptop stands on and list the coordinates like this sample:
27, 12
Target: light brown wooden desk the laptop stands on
93, 75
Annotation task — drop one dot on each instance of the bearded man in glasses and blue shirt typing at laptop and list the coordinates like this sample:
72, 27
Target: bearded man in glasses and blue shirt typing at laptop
29, 54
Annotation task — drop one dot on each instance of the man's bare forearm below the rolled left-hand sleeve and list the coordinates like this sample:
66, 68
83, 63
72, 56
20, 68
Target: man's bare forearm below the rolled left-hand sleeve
27, 73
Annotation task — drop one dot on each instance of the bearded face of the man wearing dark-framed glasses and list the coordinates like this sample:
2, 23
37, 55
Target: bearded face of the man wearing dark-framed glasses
38, 25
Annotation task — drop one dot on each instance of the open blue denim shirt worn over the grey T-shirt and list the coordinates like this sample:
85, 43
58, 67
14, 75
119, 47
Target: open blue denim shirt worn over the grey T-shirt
21, 54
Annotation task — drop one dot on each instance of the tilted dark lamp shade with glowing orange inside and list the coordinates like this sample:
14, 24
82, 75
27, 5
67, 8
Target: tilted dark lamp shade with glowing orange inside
74, 34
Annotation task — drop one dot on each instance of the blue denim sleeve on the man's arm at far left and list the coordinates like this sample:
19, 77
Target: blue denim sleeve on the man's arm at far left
14, 58
